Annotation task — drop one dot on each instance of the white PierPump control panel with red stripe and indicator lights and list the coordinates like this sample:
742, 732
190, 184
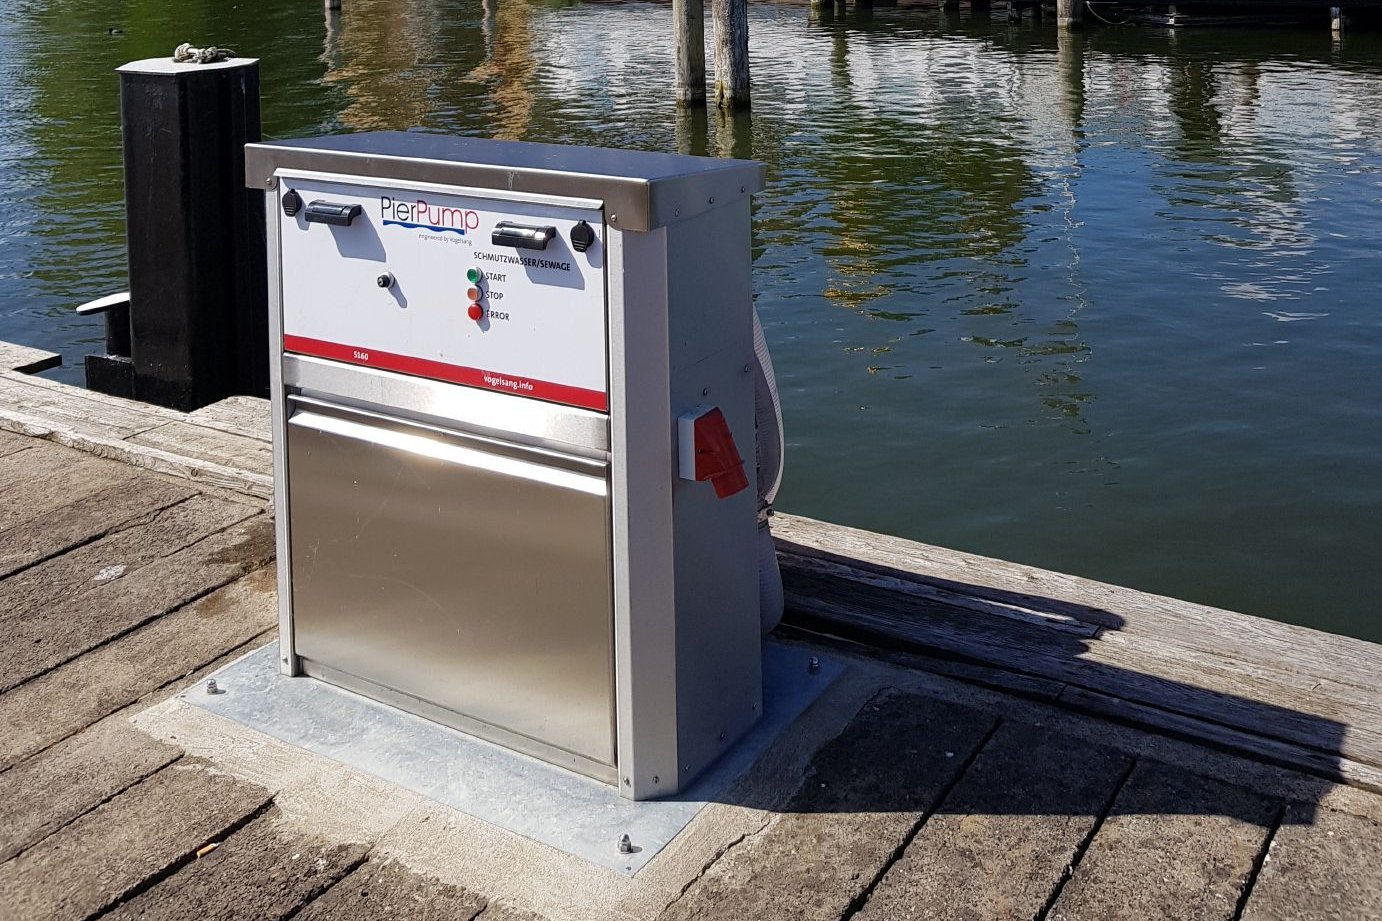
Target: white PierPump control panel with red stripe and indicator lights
494, 294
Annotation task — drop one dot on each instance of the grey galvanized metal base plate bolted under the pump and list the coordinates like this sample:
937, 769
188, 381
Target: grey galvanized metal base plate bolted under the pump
524, 796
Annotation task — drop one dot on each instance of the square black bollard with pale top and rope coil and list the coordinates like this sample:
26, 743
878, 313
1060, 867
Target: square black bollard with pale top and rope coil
198, 292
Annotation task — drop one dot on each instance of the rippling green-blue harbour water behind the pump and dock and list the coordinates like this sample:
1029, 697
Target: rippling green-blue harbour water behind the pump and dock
1105, 305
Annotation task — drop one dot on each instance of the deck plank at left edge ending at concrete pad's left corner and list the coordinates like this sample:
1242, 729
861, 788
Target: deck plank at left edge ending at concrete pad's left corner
52, 790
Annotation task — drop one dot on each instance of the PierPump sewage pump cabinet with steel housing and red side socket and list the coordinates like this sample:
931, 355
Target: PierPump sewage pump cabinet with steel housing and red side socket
513, 392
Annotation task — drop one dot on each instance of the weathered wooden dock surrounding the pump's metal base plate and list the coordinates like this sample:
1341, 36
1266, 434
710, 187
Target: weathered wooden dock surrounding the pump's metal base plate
1007, 743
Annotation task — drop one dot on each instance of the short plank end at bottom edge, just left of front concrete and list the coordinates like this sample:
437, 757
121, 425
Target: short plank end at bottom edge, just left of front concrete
388, 890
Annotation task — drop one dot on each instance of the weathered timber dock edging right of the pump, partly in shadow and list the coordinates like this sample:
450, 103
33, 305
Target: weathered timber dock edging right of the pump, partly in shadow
1315, 706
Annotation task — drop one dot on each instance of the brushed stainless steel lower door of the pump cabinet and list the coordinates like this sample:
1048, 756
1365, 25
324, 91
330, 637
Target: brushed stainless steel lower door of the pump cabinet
466, 579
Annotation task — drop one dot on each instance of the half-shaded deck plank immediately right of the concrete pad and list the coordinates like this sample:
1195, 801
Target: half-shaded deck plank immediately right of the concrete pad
863, 796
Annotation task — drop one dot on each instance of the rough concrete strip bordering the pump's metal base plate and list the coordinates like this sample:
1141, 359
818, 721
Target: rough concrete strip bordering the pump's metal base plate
519, 876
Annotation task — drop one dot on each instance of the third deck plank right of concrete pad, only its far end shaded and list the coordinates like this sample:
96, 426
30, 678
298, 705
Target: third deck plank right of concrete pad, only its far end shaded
1177, 847
